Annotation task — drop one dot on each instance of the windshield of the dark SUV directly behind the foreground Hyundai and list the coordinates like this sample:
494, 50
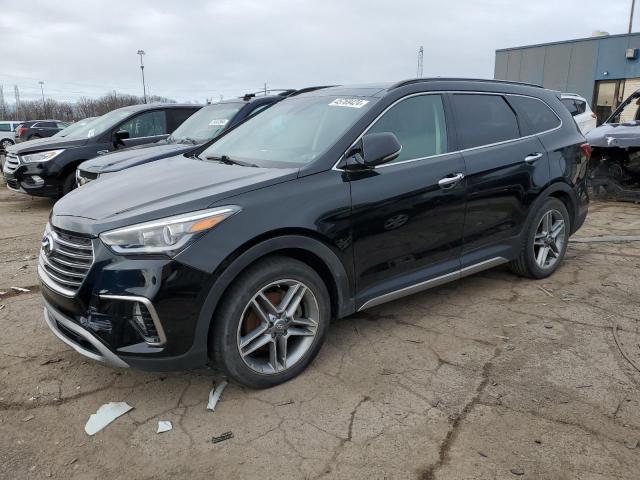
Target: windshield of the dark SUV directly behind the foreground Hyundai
206, 123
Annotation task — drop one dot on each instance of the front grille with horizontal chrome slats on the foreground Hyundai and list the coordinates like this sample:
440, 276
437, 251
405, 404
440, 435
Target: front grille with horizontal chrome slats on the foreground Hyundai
66, 260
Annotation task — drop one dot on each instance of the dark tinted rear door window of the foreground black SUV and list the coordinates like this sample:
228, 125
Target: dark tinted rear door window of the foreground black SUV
484, 119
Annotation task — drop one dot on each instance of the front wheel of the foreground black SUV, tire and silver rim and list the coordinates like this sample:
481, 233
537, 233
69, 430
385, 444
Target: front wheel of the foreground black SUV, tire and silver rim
271, 323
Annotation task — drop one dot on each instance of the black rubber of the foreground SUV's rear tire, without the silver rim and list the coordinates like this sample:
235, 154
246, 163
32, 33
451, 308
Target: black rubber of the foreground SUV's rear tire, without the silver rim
525, 265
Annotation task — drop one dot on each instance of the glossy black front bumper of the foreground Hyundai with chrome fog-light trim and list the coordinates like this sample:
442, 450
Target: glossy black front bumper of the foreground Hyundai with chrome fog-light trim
98, 319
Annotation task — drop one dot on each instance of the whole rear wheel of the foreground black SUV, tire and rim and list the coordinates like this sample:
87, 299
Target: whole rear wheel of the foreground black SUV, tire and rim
545, 241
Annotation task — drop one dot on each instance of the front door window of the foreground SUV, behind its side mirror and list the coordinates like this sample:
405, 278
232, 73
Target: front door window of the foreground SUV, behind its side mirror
419, 124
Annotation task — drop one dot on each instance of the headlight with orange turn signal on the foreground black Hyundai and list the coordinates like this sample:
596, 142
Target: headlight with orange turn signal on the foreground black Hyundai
167, 235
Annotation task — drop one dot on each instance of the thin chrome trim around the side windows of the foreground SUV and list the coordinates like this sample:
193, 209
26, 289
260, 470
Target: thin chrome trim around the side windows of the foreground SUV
441, 92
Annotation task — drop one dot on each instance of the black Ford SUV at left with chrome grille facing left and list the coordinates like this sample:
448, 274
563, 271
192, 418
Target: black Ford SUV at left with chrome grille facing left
47, 167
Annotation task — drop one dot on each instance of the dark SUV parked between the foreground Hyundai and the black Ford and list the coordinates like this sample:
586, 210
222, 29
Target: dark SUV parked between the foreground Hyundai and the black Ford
203, 126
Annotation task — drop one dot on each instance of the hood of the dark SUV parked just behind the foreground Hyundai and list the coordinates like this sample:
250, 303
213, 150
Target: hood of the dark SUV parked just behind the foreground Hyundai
116, 161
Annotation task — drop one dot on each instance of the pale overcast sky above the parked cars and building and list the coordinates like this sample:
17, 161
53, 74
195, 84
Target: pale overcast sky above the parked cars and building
198, 49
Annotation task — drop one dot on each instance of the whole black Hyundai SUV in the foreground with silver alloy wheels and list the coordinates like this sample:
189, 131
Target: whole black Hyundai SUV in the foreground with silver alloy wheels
328, 203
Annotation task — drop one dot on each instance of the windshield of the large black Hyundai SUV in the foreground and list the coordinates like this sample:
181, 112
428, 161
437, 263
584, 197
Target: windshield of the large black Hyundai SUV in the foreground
293, 132
